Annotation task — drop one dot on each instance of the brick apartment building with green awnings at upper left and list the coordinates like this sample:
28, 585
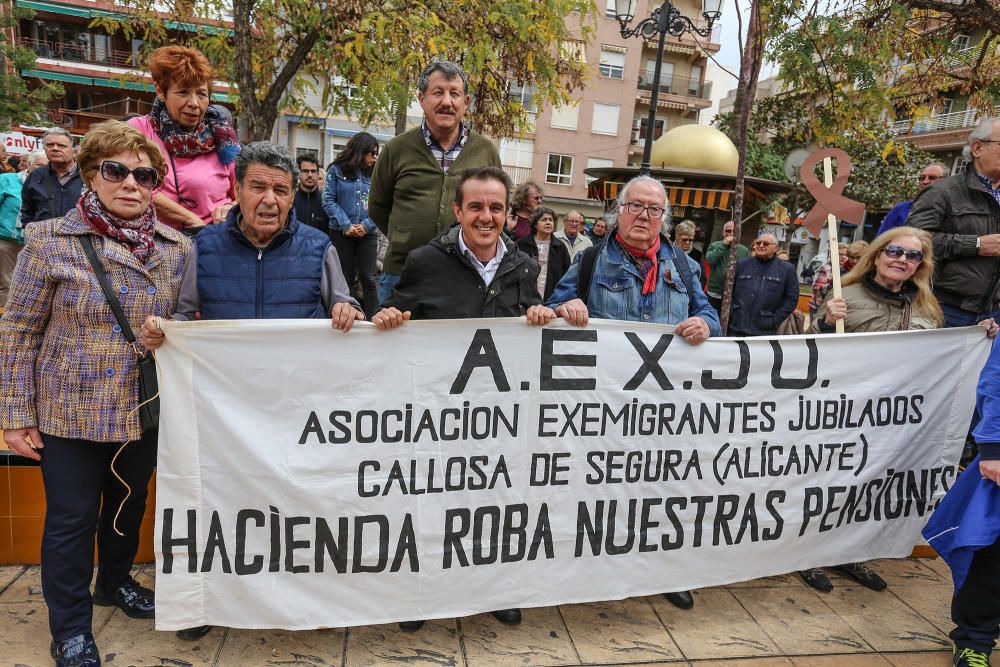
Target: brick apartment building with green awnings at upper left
98, 71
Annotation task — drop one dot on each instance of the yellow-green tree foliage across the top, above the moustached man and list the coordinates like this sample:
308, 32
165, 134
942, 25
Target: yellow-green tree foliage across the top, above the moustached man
280, 52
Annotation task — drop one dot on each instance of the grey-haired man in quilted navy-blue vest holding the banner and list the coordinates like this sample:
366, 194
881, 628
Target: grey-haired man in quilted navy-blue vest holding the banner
261, 263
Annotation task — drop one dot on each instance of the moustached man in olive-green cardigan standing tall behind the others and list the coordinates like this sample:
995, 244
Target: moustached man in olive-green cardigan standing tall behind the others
413, 184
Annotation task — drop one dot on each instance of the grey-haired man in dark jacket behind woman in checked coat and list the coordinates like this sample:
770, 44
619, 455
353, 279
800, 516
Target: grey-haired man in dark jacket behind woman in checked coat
51, 191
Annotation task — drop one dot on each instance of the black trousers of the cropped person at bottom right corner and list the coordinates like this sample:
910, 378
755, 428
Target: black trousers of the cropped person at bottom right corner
975, 609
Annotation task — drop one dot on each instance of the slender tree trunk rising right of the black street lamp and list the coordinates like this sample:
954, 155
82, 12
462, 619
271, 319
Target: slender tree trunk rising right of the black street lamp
750, 63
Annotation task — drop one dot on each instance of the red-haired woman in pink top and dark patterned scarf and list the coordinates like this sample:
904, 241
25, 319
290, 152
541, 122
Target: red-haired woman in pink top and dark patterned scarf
197, 141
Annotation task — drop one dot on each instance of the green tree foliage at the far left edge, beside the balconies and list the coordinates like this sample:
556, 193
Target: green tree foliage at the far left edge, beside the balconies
20, 104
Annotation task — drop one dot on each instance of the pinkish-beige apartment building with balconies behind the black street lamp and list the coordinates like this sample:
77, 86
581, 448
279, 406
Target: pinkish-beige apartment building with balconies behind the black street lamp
606, 127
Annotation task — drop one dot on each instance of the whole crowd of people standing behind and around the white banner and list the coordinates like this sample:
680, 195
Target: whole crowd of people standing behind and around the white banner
168, 216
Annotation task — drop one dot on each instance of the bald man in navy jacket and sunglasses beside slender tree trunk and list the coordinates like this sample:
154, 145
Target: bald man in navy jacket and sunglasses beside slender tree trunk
765, 292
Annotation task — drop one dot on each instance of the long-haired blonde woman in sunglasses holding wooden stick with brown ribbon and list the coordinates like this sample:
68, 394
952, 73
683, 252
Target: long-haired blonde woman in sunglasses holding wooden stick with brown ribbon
889, 289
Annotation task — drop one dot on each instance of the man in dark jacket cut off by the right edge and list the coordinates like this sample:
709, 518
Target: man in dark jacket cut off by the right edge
962, 213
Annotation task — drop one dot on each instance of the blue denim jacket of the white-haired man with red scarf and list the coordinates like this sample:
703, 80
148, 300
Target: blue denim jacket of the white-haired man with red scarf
616, 290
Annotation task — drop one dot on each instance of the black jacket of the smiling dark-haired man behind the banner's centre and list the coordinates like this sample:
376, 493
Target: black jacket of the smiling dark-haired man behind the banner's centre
439, 283
